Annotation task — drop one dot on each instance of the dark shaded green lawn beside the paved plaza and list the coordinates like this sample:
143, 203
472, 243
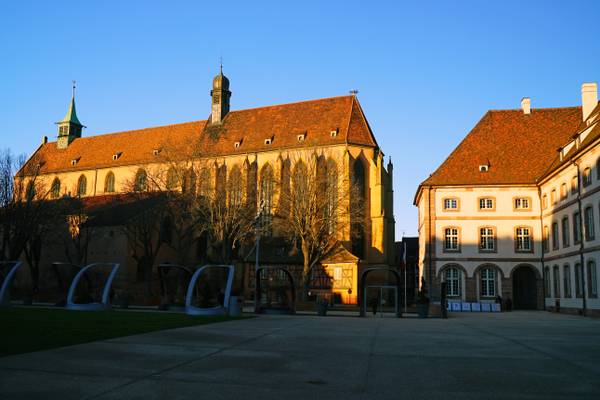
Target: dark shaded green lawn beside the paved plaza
30, 329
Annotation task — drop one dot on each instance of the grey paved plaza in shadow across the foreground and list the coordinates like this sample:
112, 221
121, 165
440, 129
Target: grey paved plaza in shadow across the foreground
525, 355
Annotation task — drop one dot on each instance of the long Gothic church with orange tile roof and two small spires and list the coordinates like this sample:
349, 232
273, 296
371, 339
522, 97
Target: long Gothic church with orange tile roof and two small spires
251, 141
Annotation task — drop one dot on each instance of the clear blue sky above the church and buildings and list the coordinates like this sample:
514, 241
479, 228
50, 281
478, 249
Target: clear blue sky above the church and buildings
426, 71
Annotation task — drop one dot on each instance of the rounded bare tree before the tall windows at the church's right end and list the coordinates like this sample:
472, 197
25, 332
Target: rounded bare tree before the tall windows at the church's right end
318, 208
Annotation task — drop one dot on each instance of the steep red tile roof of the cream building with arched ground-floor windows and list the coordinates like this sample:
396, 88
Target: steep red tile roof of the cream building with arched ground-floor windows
518, 147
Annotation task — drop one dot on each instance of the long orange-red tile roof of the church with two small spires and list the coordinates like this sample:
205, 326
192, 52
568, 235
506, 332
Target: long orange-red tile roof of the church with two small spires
315, 119
